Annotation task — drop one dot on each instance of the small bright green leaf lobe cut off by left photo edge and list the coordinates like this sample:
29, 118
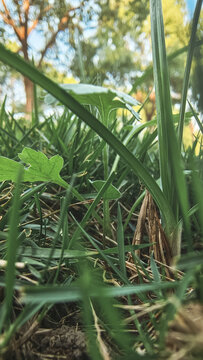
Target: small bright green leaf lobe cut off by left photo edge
9, 169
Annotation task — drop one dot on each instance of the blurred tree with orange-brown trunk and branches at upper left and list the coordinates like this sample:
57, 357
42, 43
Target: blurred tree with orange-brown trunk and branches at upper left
49, 18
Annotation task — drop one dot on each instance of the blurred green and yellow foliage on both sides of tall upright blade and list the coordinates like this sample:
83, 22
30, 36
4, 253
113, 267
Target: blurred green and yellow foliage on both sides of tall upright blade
119, 50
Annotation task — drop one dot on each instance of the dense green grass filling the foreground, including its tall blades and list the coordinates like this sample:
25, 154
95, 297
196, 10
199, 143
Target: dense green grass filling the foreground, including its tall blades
55, 263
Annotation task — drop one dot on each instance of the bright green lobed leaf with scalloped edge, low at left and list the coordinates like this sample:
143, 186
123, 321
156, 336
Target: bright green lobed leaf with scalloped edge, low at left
41, 168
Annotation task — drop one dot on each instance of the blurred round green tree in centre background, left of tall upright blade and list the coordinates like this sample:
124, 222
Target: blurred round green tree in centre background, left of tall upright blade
111, 53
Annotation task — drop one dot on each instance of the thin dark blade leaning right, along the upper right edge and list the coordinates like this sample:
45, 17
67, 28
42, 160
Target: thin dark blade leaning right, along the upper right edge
190, 53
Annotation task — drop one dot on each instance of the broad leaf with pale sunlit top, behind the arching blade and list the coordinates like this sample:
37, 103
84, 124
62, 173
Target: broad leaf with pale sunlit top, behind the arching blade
104, 99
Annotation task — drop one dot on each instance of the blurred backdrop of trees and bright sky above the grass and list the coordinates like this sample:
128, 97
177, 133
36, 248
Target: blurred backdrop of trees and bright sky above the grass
94, 41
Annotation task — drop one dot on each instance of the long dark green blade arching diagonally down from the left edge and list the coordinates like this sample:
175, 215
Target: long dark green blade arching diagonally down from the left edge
34, 75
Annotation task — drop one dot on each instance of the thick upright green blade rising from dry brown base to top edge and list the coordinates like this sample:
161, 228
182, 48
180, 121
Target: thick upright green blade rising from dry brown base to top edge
172, 177
